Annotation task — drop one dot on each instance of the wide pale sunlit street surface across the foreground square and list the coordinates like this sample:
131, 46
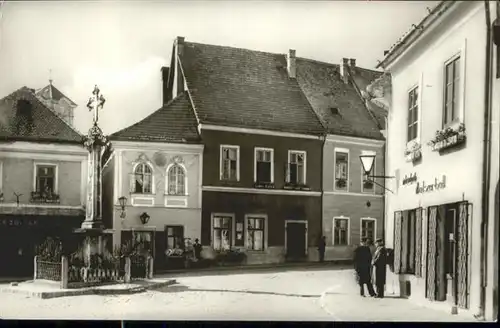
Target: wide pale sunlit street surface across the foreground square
323, 294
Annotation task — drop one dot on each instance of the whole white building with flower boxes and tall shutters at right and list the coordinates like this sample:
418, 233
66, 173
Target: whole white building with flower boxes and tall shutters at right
435, 150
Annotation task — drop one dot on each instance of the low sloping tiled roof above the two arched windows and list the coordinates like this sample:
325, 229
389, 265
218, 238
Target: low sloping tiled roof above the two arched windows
174, 122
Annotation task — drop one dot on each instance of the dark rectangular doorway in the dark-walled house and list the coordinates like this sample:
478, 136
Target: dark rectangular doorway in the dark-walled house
296, 240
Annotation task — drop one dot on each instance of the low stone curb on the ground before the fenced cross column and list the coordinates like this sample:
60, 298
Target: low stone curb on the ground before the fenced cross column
89, 291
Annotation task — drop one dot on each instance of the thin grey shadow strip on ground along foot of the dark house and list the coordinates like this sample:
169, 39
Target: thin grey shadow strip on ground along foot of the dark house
246, 270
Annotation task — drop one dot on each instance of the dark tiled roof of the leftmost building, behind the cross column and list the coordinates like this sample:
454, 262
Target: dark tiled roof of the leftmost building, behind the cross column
34, 122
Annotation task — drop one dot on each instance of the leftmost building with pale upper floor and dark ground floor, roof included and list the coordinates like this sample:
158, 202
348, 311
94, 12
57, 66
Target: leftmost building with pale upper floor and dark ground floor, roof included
43, 169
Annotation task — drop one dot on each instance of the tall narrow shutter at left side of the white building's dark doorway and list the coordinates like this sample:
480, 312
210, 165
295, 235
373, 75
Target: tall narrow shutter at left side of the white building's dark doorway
431, 254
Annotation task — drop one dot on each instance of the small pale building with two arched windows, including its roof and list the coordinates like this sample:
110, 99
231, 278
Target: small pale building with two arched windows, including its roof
156, 164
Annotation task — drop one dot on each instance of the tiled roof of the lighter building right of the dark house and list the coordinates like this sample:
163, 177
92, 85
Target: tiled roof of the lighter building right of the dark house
339, 105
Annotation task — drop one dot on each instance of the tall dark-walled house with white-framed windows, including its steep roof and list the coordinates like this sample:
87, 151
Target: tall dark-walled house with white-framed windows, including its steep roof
262, 155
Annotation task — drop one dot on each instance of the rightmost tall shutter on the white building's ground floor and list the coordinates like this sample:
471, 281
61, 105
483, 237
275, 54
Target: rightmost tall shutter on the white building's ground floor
463, 254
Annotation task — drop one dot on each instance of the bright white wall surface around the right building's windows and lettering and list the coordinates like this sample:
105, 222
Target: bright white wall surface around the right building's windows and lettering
464, 33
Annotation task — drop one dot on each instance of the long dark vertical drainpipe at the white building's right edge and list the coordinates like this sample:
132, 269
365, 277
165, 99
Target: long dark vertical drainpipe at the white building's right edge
486, 160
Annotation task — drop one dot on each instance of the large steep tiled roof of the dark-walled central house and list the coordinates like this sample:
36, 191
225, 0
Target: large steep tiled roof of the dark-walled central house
245, 88
